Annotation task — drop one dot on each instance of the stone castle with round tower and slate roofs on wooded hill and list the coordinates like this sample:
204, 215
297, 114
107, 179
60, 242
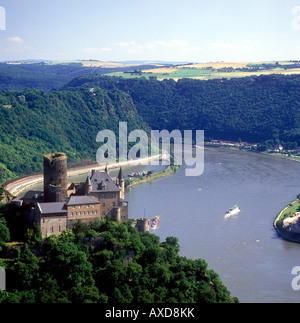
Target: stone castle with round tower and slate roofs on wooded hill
61, 205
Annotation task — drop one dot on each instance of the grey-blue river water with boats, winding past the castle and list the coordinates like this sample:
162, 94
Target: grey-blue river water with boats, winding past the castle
251, 259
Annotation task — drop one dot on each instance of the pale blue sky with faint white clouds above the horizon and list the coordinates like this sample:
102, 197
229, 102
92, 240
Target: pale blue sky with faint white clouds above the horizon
150, 30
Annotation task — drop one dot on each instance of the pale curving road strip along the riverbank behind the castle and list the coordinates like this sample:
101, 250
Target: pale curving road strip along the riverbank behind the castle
16, 186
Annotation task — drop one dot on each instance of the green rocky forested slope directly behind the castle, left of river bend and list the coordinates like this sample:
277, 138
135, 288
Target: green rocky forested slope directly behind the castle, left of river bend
33, 123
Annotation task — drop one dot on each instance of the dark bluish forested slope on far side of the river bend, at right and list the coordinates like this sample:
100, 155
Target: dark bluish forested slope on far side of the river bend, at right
254, 109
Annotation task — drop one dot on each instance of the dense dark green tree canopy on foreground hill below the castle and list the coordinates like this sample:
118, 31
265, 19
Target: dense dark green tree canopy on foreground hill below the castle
108, 263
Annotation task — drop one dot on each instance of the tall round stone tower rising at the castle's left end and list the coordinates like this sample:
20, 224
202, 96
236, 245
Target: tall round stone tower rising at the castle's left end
55, 177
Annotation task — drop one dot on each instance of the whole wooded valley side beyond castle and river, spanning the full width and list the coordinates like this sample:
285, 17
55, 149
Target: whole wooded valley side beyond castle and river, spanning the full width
33, 122
